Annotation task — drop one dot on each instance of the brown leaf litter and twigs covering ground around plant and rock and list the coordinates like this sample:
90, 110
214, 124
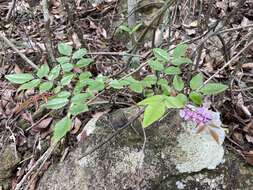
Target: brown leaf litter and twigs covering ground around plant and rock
217, 33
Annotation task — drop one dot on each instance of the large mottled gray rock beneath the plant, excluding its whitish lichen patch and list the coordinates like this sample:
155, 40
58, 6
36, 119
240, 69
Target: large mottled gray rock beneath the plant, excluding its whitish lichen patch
121, 163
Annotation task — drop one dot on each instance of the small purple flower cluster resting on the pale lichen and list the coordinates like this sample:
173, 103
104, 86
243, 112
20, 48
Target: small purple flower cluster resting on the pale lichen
199, 115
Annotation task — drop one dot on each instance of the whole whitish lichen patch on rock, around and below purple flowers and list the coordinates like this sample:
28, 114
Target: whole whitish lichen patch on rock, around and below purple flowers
199, 150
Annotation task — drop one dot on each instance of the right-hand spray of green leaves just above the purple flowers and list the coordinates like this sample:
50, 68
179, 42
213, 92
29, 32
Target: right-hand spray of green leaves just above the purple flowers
173, 94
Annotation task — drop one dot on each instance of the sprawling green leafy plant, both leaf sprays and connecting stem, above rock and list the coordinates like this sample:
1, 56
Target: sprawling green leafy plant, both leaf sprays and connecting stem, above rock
72, 90
